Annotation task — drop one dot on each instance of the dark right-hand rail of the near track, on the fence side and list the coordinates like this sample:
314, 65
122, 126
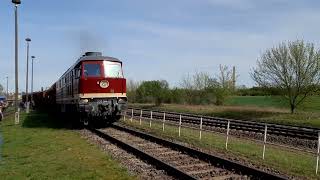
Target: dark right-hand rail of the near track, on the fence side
221, 162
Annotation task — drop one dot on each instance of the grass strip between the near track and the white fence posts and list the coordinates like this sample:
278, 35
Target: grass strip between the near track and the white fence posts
298, 164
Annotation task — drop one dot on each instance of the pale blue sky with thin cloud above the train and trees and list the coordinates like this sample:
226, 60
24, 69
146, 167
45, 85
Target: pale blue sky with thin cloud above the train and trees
165, 39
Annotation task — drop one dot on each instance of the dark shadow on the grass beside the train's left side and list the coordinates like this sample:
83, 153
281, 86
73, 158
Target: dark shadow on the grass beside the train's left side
43, 119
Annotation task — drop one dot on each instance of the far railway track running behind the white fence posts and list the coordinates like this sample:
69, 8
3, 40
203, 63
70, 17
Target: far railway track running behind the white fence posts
239, 125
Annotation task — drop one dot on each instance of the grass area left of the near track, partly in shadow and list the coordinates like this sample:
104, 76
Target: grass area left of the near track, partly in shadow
38, 148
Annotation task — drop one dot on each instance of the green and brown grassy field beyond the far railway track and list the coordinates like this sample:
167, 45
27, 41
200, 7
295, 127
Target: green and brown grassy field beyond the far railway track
255, 108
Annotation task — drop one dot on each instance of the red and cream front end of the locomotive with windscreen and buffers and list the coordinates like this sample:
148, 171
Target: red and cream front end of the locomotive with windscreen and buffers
102, 90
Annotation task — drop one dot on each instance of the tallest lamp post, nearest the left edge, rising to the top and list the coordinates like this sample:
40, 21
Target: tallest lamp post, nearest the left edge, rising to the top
16, 3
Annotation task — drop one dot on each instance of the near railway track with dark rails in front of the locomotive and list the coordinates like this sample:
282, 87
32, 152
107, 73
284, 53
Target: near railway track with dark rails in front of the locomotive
177, 160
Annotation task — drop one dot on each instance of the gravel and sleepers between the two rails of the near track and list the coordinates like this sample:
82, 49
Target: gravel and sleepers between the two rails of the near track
192, 166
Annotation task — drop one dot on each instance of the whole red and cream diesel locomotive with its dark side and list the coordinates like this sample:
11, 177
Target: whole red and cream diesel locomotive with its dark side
94, 87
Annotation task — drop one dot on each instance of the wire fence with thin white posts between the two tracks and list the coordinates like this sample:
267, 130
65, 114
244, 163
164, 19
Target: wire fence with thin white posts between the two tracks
197, 123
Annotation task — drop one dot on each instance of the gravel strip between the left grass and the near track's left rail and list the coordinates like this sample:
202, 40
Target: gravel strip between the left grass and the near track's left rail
134, 165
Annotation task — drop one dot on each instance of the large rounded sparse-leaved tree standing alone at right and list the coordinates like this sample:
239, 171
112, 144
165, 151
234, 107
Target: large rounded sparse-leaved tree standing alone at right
293, 67
